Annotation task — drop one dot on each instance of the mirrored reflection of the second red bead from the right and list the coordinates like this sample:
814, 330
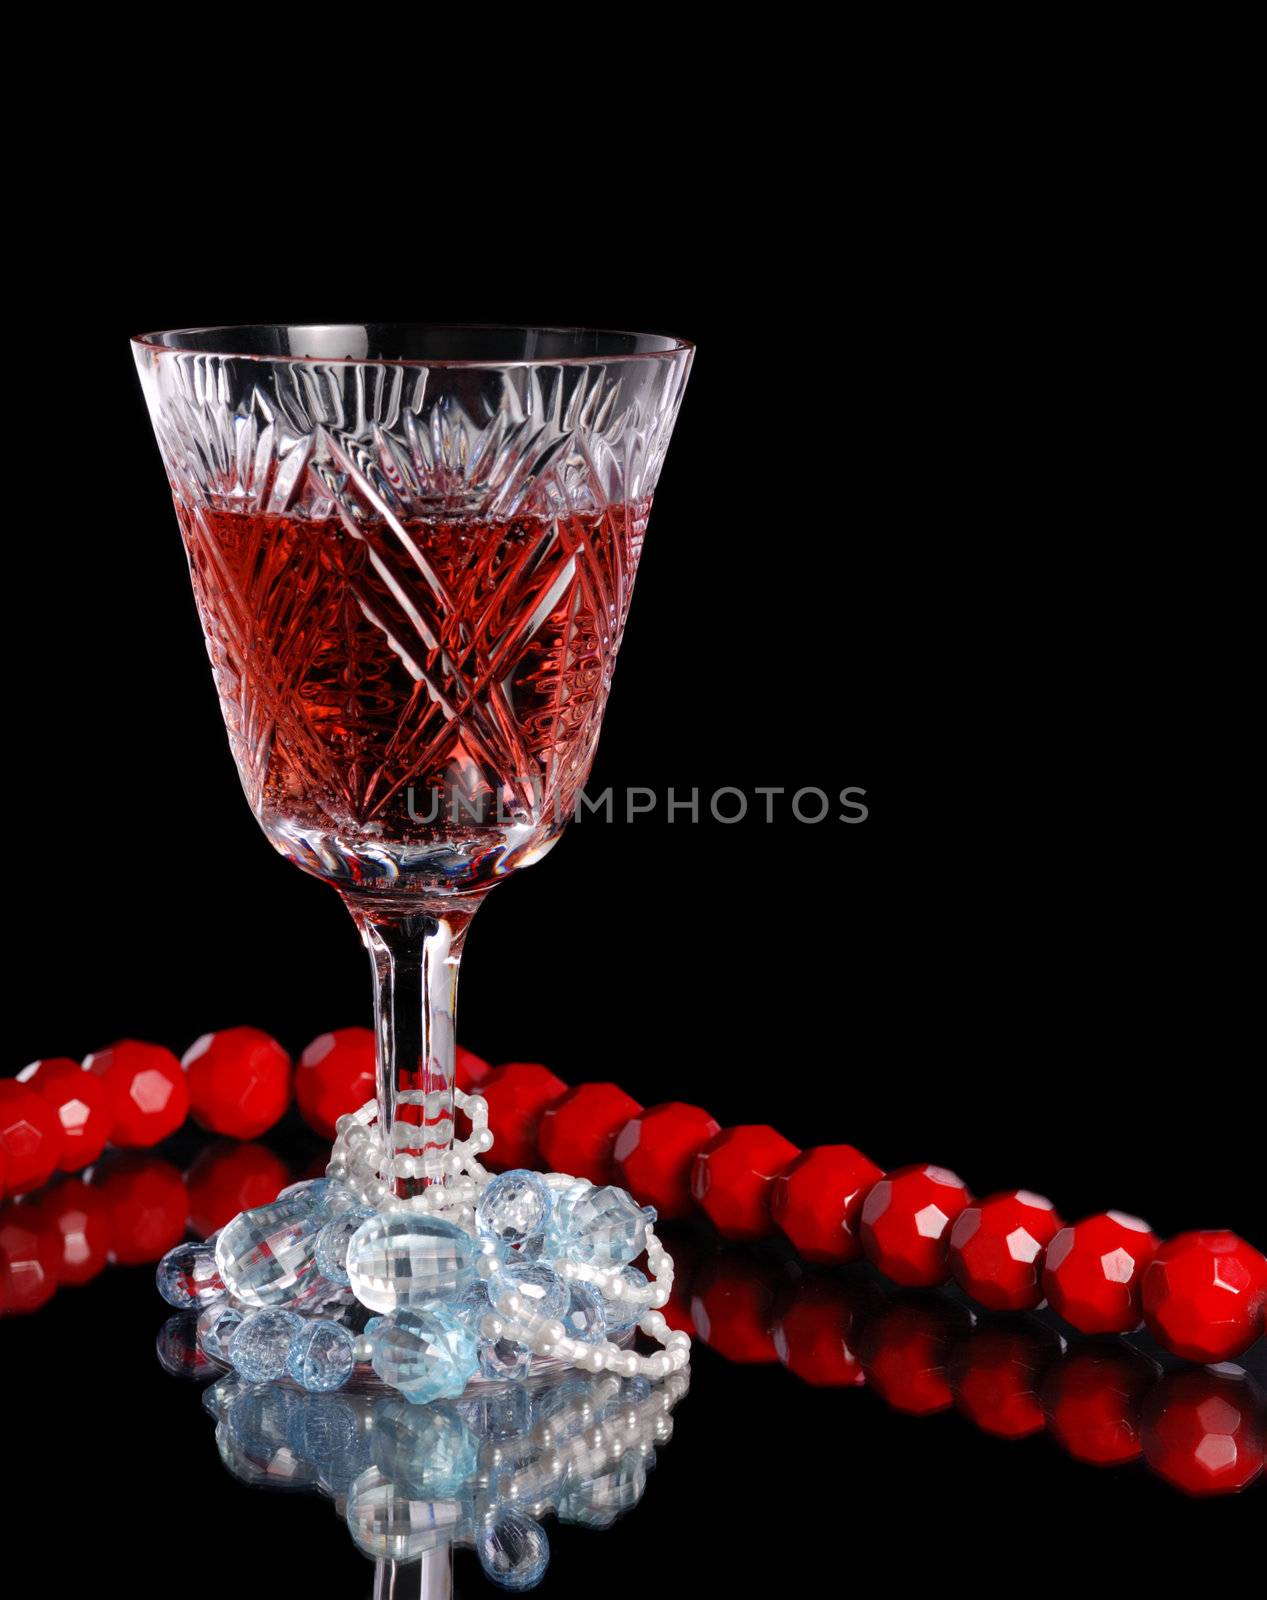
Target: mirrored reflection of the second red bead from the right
1093, 1399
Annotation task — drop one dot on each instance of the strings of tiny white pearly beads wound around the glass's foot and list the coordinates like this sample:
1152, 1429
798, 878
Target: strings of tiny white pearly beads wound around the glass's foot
362, 1164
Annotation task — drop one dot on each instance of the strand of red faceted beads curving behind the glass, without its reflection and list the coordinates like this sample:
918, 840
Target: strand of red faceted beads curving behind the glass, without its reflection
1202, 1295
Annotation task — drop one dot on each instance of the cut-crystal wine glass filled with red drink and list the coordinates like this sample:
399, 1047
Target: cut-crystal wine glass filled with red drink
414, 551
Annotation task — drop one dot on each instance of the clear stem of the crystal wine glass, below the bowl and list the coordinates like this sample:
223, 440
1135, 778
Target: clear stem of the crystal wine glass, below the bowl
415, 954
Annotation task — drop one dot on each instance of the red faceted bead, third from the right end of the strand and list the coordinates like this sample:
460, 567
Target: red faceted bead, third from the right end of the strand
997, 1249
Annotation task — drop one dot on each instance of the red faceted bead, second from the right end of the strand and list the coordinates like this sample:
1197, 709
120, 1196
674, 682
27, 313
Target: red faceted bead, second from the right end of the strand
1092, 1271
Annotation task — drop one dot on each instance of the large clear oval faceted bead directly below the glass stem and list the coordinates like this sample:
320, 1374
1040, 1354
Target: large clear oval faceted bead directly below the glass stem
407, 1260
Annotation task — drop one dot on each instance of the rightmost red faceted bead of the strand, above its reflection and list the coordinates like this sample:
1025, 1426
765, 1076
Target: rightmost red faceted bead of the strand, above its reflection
1205, 1295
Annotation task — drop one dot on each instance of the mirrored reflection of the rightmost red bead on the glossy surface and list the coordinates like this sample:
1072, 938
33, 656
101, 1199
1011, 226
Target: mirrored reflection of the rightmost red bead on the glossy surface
1204, 1431
